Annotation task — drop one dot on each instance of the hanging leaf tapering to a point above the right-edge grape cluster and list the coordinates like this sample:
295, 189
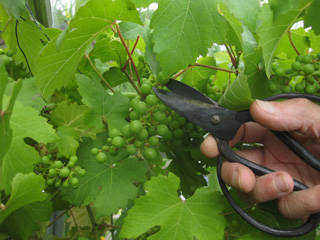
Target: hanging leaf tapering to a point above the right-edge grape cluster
272, 30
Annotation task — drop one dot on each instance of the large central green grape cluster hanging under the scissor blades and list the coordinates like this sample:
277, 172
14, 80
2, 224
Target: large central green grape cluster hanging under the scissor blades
152, 128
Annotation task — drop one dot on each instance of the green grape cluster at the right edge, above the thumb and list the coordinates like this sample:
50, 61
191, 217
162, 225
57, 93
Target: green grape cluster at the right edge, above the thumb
305, 68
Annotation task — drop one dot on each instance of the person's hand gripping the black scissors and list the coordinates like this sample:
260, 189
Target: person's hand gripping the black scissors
301, 118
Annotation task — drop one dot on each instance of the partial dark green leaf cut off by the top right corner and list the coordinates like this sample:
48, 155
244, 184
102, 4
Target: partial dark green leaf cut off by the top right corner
312, 16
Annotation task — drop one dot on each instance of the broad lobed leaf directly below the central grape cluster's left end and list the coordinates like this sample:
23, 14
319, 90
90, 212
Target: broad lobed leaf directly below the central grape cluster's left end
109, 185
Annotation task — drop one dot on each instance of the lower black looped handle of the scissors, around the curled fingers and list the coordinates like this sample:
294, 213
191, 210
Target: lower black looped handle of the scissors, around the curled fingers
227, 153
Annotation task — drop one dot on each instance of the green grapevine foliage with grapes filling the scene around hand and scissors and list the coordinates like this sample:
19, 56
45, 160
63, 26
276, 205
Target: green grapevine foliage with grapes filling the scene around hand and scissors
86, 135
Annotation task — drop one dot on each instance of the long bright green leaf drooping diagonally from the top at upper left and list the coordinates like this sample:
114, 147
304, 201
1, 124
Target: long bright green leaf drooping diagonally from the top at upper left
56, 69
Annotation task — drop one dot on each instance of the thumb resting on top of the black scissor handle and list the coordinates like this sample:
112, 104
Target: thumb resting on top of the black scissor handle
300, 115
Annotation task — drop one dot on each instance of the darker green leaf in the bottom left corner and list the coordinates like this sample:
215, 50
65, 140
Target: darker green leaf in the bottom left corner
20, 224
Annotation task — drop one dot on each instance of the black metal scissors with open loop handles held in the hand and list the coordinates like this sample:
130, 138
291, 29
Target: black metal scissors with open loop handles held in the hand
223, 124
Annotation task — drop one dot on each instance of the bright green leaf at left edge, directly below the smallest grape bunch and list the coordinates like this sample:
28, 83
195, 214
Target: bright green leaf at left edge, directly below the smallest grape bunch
26, 189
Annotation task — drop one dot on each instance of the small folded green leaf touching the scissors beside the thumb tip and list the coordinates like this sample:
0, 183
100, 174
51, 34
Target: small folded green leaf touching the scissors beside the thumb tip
237, 96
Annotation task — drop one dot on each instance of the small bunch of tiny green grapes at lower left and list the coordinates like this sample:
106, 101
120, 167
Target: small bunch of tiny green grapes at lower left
60, 173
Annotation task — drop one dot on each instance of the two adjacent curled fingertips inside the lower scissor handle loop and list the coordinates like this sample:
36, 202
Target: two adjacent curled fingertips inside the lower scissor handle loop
260, 189
